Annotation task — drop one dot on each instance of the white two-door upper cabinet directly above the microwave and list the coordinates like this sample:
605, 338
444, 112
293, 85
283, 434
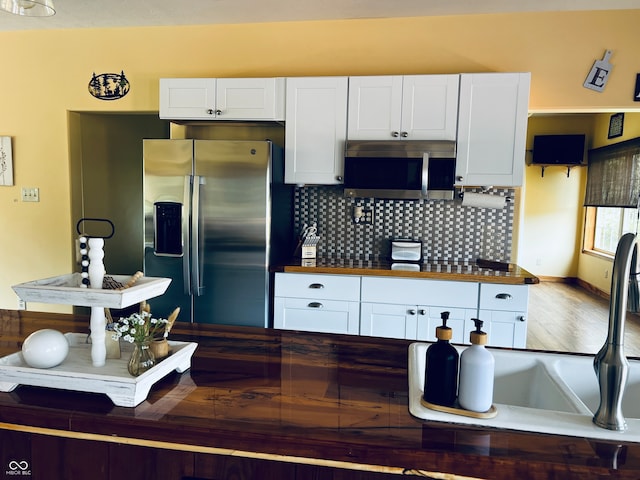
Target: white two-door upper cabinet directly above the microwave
412, 107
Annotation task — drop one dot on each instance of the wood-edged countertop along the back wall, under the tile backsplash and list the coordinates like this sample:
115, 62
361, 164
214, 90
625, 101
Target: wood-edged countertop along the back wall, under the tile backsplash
476, 271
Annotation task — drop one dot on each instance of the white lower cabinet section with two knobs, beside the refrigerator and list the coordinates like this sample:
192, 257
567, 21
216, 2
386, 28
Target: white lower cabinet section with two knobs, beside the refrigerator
317, 303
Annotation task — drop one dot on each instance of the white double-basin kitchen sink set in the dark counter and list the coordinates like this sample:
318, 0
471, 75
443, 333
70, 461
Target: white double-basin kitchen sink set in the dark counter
537, 392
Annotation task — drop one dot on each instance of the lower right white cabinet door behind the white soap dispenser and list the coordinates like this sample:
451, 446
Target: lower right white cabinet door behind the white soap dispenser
504, 328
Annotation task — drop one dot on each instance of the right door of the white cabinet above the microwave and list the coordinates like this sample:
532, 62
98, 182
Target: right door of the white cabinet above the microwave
430, 107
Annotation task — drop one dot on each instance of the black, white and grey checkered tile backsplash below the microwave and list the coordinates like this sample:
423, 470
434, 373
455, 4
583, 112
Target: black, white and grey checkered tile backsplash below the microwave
448, 231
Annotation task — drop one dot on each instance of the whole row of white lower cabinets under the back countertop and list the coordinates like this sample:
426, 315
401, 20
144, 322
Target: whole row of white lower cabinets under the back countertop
400, 307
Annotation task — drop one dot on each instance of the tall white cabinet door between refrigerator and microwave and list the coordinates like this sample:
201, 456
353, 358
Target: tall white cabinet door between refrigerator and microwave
315, 130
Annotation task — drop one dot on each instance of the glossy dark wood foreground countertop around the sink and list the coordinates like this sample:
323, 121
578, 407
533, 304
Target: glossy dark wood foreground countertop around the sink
301, 398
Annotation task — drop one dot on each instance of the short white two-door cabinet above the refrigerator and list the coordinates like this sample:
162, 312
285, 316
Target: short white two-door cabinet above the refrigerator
222, 98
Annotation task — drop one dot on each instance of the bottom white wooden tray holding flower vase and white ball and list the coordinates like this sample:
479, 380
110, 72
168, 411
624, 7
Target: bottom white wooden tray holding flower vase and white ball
77, 373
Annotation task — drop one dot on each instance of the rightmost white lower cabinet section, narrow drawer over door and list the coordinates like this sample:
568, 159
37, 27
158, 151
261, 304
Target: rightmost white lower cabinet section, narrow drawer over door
503, 309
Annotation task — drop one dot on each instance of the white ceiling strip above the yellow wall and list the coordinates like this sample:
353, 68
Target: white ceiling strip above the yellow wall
132, 13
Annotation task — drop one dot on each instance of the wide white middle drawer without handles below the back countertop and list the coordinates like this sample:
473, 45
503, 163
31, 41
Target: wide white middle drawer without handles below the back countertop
420, 292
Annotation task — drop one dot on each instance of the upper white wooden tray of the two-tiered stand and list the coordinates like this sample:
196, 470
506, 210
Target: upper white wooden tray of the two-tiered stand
66, 290
